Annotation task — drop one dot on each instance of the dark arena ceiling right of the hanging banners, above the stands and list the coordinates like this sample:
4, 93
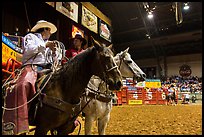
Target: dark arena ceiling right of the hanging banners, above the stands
167, 38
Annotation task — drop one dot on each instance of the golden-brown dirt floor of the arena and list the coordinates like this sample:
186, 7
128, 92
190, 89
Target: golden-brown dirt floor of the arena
152, 120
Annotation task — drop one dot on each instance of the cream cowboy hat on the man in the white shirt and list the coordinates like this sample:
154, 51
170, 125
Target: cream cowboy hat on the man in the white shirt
44, 24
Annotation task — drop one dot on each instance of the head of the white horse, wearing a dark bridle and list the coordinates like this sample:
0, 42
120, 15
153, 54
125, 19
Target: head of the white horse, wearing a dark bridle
128, 67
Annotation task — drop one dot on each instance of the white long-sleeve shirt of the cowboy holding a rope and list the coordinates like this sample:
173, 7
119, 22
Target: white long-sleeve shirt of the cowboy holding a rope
34, 43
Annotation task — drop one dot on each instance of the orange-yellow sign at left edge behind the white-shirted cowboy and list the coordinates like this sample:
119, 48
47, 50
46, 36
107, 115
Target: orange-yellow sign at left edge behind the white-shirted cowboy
7, 53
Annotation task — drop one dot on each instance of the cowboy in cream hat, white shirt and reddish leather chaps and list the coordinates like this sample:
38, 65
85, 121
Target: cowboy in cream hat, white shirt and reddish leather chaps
22, 88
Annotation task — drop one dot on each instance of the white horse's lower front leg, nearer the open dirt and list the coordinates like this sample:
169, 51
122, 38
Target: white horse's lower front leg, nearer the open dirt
102, 124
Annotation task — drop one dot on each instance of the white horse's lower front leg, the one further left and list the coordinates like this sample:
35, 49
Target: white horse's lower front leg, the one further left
88, 124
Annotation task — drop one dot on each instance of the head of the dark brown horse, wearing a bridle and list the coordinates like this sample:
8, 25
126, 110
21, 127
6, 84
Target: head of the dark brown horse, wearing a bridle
105, 66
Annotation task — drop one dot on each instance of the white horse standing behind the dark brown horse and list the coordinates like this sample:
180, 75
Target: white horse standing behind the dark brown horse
97, 106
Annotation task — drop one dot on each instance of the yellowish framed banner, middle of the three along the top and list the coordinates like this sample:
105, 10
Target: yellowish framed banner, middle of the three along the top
89, 20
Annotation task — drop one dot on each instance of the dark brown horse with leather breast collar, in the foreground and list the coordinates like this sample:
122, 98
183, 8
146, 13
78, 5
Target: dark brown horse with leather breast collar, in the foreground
60, 100
